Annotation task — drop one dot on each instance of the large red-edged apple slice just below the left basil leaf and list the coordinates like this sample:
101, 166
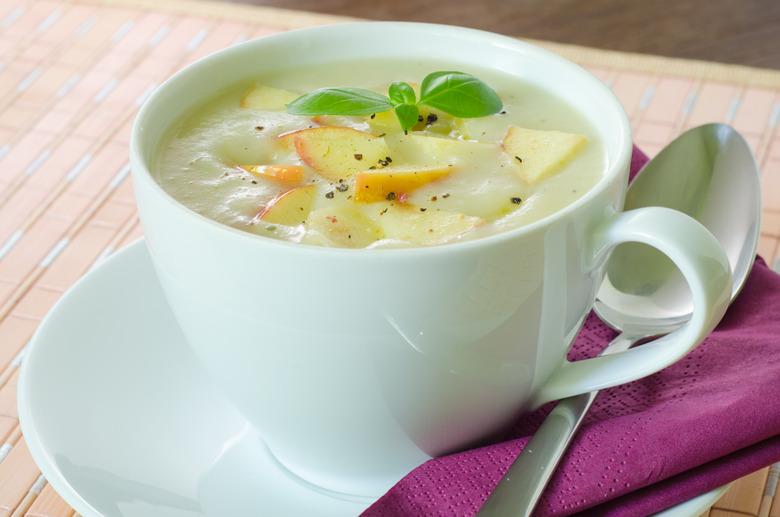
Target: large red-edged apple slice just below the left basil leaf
340, 152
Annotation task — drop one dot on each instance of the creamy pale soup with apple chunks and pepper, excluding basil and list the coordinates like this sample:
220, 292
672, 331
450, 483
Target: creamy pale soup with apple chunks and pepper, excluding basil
360, 181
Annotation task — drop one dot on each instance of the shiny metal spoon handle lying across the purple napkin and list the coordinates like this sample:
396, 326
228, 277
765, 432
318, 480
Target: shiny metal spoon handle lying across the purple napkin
521, 487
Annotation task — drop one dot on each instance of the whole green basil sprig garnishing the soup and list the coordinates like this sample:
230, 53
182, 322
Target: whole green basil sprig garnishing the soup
459, 94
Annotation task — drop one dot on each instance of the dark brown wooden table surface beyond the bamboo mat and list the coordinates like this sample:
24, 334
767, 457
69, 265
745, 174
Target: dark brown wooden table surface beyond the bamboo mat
744, 32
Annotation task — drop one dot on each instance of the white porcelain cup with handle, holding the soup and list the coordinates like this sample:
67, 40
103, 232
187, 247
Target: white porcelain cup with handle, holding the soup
354, 365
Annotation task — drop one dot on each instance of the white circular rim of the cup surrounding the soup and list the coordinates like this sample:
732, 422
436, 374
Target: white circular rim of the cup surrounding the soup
140, 168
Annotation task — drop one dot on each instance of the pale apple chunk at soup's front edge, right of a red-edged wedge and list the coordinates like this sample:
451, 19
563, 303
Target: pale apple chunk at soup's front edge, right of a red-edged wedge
342, 225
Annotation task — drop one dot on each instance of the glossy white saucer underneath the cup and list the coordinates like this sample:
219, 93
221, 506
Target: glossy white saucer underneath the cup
122, 421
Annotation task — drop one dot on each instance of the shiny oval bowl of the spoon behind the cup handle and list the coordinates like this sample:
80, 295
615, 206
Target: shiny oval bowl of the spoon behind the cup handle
710, 174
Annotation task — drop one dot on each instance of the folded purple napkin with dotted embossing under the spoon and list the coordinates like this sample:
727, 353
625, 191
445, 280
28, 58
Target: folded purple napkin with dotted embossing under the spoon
709, 419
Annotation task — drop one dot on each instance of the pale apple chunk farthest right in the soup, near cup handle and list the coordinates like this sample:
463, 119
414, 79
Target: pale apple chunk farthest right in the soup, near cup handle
538, 153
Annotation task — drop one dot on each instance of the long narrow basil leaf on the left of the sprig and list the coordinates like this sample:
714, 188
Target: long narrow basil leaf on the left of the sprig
339, 101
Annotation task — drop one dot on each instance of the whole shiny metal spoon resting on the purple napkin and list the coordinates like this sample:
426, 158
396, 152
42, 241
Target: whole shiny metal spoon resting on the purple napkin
709, 173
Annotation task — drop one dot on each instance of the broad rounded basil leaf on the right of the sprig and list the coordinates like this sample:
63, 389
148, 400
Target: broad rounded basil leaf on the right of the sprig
459, 94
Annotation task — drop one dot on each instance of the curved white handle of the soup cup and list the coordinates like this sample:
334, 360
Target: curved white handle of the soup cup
703, 263
